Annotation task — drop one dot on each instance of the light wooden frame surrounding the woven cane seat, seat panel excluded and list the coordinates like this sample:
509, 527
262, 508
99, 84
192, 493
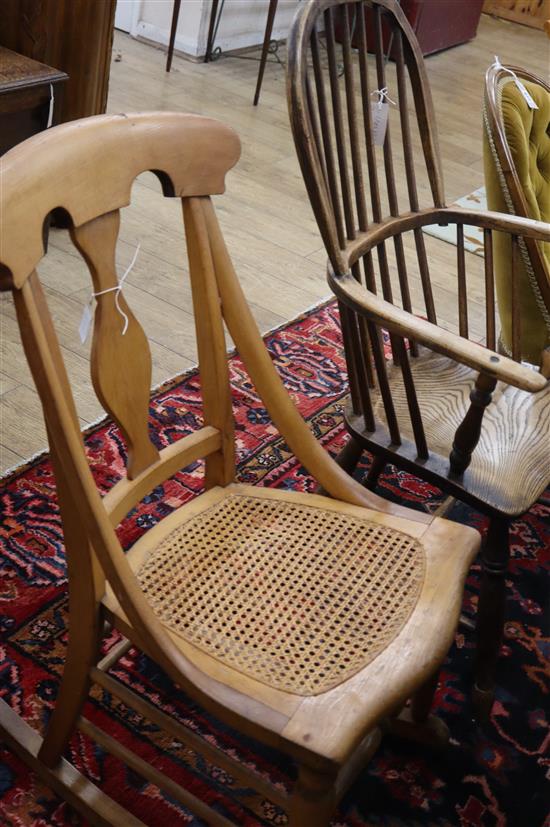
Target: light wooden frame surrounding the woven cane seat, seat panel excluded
87, 168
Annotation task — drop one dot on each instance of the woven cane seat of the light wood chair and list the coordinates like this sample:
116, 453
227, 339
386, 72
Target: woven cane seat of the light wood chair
296, 595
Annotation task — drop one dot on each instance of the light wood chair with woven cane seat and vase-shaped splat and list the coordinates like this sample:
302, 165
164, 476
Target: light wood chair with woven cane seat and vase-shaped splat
302, 620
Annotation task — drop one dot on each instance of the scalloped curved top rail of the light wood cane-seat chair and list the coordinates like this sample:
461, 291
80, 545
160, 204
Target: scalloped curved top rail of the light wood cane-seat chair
87, 167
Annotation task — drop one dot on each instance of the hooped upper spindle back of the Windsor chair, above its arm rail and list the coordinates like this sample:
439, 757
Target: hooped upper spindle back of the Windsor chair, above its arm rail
334, 96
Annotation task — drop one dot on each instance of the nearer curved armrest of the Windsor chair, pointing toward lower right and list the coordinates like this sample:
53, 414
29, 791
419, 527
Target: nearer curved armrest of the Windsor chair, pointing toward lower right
399, 321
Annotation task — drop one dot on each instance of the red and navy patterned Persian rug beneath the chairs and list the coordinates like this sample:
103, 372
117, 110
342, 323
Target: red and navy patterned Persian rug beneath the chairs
491, 775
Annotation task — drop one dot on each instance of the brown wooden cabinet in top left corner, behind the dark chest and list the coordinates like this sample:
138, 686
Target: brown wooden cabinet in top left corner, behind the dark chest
75, 36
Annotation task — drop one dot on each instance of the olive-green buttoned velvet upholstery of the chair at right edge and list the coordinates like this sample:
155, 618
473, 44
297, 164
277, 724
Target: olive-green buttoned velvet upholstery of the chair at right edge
527, 133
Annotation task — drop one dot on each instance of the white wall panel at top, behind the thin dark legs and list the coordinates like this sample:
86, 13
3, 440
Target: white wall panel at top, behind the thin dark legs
242, 23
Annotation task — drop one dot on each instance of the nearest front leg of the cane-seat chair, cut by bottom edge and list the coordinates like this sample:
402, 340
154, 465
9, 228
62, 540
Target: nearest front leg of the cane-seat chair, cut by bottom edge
313, 800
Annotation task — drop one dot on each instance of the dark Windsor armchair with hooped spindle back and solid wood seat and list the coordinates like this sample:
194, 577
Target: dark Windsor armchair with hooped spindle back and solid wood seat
446, 407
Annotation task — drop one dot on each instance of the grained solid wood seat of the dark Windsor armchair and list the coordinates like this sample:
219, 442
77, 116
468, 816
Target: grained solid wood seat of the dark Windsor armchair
509, 469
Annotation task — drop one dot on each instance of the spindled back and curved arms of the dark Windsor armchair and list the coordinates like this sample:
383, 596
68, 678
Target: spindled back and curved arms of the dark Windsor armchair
373, 190
